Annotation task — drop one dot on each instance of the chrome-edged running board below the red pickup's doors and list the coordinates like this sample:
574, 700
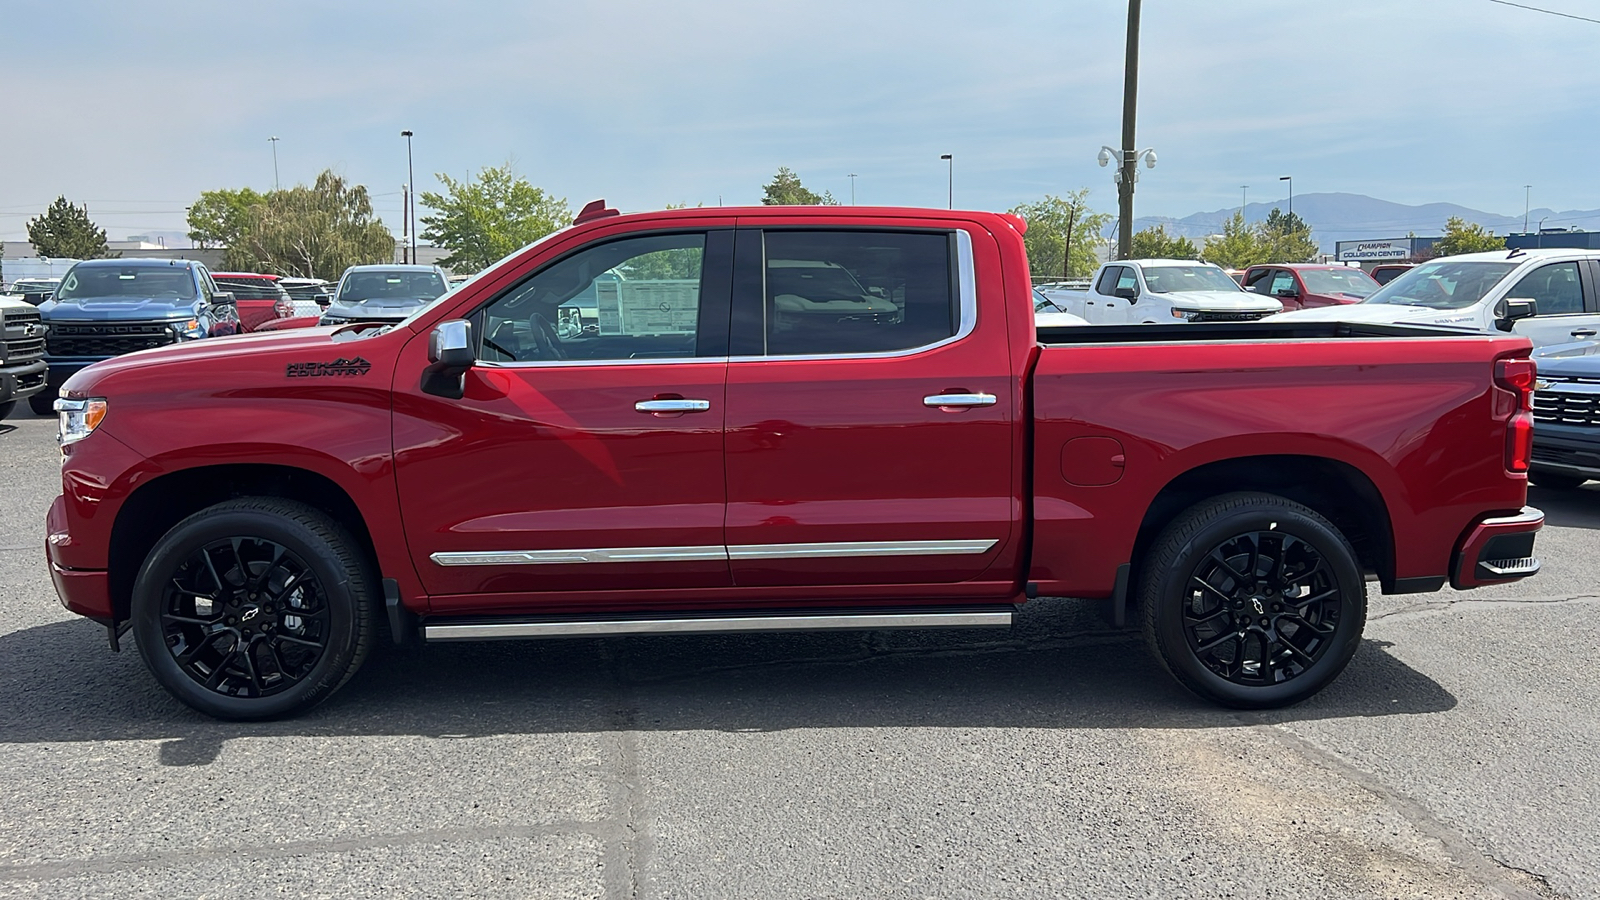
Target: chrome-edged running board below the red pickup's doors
714, 624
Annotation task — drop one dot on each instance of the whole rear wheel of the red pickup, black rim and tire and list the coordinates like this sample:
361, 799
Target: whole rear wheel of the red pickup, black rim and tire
1302, 609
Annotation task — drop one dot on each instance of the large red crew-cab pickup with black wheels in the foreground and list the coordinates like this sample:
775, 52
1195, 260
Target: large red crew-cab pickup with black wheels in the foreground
778, 419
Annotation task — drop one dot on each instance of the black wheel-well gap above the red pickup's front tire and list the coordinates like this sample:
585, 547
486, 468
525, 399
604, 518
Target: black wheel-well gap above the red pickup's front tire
161, 504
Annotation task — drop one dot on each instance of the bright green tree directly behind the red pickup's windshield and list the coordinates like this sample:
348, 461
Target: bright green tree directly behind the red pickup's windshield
486, 220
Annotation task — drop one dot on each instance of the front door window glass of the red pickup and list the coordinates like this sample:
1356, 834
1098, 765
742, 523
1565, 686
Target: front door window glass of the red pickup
634, 299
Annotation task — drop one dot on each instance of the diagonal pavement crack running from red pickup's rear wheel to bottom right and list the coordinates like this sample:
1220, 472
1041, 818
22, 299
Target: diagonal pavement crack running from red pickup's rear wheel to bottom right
1510, 882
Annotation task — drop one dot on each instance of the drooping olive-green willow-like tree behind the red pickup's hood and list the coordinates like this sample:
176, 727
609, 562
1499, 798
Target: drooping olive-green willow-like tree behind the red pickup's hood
314, 231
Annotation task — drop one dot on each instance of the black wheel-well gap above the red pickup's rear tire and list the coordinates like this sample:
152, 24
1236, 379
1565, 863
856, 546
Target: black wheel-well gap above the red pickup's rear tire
1337, 491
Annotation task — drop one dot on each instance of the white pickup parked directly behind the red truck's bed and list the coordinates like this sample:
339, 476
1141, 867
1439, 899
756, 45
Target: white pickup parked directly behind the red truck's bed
1132, 292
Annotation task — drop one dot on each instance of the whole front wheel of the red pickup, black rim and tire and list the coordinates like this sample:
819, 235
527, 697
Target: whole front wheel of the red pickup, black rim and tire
305, 614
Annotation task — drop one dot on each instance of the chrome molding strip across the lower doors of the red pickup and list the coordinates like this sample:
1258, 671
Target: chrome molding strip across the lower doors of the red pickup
833, 550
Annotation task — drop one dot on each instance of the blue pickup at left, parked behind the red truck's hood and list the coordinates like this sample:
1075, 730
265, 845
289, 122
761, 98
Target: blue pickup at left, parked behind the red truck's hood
106, 308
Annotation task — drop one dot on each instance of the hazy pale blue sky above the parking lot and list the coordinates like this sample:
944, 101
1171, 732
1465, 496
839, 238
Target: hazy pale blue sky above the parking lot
137, 108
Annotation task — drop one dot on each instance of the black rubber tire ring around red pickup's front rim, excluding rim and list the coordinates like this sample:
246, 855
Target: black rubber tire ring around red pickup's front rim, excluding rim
222, 524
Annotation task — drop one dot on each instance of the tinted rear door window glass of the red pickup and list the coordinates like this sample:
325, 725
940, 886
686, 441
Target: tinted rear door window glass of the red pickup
857, 292
